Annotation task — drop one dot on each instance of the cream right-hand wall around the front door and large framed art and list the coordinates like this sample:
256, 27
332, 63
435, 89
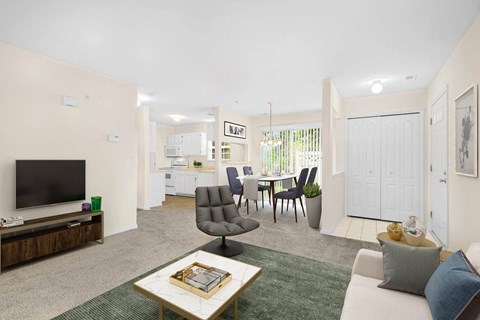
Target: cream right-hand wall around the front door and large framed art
460, 71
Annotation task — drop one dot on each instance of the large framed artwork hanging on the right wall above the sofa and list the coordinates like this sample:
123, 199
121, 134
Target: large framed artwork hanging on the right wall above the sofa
466, 133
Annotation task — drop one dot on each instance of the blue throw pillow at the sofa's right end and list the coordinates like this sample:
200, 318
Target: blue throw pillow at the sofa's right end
453, 291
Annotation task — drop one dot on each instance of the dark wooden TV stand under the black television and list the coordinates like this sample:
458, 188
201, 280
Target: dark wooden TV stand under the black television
57, 237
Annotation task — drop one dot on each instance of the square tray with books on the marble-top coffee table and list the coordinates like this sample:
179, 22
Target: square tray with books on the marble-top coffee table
200, 279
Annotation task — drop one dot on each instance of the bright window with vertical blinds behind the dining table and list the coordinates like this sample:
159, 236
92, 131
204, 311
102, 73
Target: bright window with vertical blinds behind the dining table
301, 148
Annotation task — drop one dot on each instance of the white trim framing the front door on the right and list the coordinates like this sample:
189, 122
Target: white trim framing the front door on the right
437, 97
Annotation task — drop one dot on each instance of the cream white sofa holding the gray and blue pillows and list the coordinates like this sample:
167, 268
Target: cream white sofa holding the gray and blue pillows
364, 300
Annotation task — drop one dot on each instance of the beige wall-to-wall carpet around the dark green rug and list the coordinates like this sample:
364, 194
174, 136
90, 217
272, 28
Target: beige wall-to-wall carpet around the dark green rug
50, 286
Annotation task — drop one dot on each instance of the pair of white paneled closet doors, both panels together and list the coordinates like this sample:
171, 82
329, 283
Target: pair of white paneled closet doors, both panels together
383, 167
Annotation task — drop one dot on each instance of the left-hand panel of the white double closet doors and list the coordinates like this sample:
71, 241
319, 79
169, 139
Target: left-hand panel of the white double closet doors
363, 167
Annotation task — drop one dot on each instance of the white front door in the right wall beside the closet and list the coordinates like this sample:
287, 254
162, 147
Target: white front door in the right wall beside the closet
439, 172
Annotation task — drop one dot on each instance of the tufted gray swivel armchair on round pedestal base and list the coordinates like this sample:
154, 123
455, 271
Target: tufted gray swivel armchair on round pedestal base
217, 215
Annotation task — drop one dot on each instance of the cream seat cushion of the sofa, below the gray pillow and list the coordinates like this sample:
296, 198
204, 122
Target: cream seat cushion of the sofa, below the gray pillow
364, 300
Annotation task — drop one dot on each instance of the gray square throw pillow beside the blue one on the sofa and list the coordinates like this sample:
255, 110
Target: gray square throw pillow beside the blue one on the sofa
408, 268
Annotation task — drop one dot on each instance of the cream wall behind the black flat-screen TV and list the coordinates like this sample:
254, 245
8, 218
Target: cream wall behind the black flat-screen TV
36, 126
